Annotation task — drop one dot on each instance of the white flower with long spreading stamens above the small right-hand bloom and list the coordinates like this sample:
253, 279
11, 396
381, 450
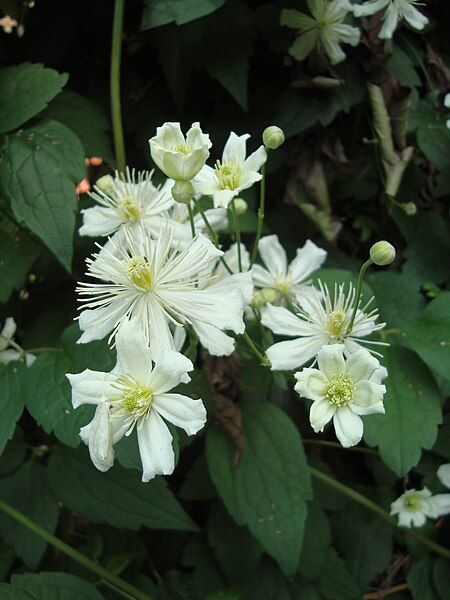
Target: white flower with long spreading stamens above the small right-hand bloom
319, 321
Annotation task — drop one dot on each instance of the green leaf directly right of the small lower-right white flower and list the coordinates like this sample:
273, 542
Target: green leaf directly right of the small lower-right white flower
413, 412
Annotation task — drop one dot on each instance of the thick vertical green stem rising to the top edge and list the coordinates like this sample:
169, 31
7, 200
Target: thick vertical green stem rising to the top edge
116, 109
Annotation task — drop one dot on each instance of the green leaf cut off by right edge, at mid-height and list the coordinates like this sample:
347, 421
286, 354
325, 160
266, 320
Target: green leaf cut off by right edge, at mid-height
429, 336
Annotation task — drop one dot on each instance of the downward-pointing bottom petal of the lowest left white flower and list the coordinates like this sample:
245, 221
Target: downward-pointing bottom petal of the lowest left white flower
155, 447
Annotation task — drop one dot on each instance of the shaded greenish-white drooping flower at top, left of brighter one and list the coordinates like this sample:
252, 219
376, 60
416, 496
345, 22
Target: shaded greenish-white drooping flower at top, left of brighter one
323, 30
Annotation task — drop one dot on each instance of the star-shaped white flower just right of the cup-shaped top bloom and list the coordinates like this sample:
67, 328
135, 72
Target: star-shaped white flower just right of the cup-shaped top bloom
233, 173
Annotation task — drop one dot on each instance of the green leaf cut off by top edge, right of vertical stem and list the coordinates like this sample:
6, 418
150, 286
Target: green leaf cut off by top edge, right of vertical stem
161, 12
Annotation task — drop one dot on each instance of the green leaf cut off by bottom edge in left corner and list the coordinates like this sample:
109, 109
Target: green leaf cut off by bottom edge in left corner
48, 586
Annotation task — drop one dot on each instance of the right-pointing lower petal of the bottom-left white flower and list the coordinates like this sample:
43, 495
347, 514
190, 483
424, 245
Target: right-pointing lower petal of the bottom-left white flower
182, 411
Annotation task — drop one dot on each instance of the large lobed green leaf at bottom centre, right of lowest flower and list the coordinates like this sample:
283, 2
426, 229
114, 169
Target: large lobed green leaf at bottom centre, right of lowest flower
268, 489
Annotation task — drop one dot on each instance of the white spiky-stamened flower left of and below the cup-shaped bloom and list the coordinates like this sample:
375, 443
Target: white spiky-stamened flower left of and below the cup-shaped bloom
130, 200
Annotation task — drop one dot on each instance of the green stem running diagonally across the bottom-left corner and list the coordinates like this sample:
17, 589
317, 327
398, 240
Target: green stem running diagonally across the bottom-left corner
120, 585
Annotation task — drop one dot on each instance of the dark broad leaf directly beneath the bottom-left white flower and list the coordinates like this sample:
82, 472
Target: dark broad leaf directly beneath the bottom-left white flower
117, 497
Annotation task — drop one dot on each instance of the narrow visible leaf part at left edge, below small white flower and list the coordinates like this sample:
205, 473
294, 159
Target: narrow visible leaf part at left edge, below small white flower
11, 399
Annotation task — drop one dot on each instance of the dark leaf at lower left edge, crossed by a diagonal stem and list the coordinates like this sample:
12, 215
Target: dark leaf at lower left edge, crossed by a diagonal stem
28, 491
